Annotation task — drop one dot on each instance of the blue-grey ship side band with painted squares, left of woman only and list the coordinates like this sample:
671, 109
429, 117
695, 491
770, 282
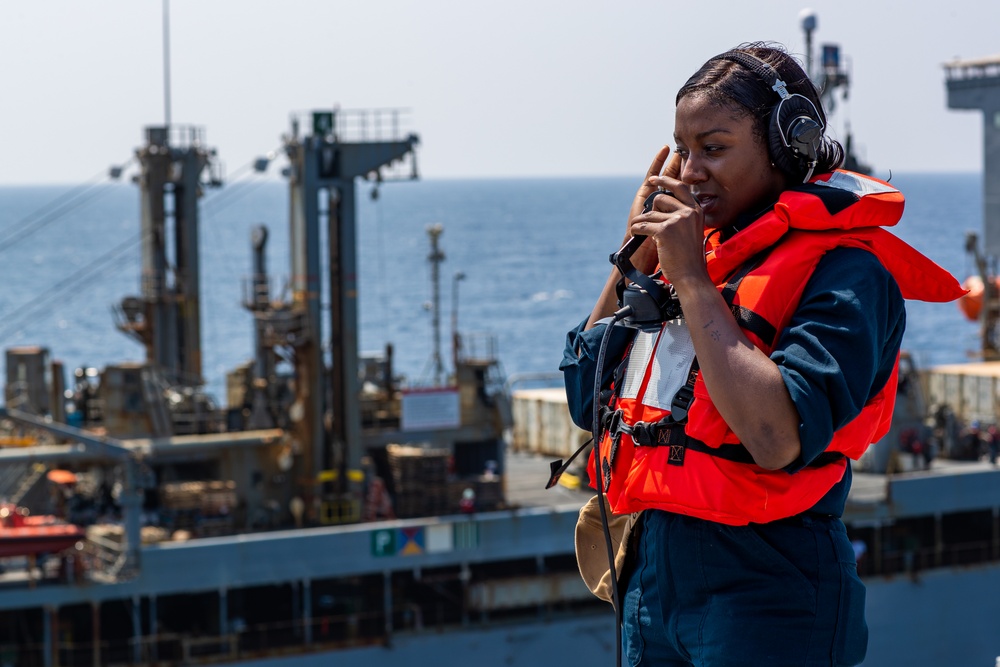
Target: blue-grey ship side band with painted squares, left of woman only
538, 523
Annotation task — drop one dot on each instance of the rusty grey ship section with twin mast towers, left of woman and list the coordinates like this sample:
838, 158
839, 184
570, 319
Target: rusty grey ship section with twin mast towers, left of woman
227, 520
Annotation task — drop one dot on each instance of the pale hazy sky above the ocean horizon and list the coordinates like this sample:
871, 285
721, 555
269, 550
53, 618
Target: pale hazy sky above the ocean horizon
519, 88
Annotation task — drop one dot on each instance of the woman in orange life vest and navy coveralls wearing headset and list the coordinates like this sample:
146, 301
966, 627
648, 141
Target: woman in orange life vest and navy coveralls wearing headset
730, 427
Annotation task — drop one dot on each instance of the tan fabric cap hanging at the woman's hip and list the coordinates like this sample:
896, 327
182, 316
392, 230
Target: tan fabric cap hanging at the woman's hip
591, 549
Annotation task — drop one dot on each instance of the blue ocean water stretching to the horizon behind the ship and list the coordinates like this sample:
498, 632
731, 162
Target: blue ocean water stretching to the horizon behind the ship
533, 253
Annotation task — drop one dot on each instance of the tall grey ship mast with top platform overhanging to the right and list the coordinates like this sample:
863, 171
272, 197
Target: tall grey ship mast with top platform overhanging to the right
342, 146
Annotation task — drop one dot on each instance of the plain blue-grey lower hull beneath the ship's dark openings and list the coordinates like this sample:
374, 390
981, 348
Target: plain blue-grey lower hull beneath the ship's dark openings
945, 617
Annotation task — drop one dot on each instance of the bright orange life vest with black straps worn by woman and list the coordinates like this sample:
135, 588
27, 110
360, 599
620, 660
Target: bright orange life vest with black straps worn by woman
717, 480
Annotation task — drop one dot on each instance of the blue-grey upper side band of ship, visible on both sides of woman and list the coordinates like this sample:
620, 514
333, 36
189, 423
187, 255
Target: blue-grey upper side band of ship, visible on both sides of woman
538, 522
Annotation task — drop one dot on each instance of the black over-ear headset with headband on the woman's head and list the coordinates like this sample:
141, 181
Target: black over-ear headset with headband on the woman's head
796, 132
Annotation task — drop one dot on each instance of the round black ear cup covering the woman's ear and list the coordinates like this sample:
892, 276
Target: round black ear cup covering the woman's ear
794, 120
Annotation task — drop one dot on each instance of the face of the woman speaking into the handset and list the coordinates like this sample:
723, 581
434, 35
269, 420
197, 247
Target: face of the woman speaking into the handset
723, 162
